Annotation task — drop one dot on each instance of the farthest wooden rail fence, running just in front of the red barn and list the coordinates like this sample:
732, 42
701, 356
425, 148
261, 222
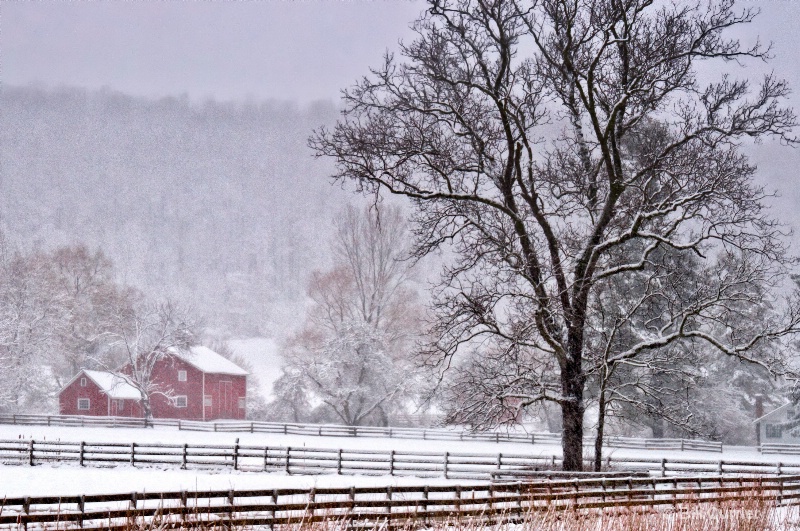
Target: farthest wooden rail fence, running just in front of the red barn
333, 430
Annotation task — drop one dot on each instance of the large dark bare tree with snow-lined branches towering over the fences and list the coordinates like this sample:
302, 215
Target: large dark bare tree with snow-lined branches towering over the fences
556, 146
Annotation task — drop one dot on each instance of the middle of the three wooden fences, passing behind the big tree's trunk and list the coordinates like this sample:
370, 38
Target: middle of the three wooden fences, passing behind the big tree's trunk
303, 460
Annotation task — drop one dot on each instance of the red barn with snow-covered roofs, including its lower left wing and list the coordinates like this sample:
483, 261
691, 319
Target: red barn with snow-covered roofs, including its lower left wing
202, 386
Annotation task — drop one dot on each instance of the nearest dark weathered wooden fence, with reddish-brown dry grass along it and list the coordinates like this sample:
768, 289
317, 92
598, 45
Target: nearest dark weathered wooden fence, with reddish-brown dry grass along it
382, 506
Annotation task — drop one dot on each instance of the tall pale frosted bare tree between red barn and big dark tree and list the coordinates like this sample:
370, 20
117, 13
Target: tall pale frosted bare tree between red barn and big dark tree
354, 352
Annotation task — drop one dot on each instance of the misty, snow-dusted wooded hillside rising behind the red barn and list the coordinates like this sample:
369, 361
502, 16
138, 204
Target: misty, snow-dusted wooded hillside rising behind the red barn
218, 205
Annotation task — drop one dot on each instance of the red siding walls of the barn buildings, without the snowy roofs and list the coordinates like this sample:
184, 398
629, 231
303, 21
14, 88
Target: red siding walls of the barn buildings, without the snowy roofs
224, 391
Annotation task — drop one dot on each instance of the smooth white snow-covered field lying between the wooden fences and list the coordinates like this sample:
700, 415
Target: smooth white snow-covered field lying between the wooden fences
66, 479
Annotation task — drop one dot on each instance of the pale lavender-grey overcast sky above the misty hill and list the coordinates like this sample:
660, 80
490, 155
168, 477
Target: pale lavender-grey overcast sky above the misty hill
291, 50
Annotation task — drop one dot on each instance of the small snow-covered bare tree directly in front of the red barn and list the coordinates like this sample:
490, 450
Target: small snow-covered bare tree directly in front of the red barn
145, 335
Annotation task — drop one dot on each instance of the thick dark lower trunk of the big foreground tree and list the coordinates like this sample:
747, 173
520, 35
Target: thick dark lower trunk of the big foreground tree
572, 409
